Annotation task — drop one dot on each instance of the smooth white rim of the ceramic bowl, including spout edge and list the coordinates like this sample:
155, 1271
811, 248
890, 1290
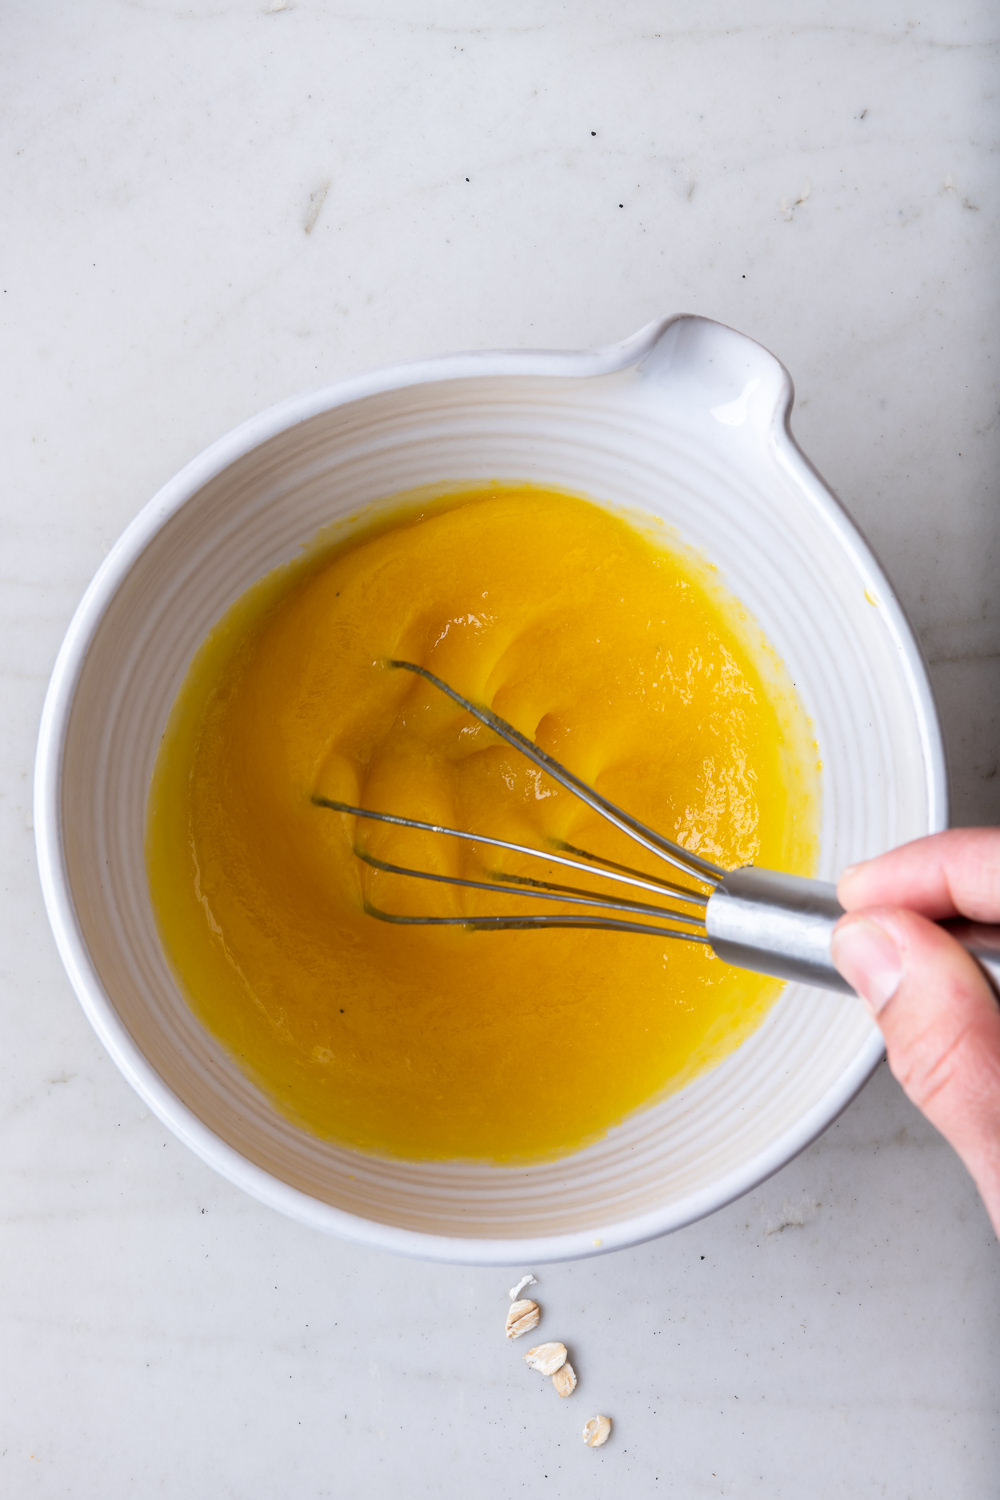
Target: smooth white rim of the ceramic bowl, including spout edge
49, 773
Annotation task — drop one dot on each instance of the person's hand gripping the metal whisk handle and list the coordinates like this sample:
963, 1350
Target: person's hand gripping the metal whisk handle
938, 1013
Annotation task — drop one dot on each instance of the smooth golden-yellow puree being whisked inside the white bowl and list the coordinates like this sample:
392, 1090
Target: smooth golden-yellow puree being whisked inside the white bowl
615, 652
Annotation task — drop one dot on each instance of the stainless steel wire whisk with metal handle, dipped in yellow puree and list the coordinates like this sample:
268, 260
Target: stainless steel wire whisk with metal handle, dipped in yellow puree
755, 919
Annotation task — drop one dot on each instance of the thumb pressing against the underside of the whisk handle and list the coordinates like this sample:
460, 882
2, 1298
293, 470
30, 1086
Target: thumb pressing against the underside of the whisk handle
942, 1028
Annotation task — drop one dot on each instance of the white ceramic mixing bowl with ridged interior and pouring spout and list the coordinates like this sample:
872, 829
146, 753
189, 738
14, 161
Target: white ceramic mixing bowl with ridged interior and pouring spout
687, 421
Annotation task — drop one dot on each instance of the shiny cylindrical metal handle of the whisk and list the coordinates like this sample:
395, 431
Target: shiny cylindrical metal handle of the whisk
783, 925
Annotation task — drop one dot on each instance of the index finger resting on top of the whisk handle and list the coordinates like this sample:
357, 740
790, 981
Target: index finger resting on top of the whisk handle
944, 875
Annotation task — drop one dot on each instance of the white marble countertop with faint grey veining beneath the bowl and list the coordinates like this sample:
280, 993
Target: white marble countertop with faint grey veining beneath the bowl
211, 206
